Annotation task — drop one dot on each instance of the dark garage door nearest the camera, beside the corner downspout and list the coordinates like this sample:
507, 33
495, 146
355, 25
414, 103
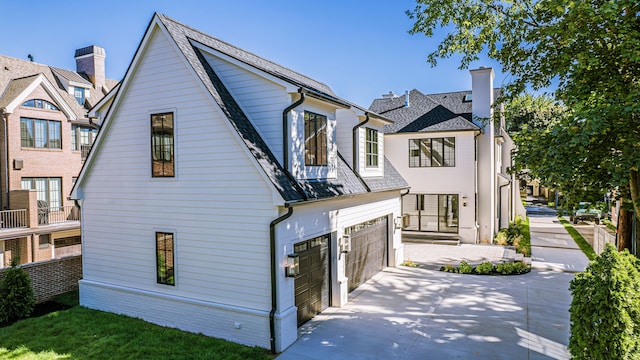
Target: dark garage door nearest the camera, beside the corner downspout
312, 284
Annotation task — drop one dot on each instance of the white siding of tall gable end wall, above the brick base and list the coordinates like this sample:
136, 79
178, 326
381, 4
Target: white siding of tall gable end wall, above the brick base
221, 253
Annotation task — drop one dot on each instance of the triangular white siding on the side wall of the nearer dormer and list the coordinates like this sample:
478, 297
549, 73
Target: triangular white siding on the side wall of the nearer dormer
262, 100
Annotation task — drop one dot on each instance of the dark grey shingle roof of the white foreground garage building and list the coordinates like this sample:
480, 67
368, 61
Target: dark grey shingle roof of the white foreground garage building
291, 190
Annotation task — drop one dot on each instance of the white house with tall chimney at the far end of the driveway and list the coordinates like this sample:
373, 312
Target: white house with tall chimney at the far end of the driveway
454, 161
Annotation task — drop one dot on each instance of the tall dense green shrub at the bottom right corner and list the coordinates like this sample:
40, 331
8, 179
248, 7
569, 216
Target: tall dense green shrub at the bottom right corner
605, 310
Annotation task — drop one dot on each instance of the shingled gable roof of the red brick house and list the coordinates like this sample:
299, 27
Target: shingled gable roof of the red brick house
12, 70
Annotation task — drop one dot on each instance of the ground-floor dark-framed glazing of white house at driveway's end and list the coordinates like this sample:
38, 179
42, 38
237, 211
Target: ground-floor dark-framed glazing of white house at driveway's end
431, 212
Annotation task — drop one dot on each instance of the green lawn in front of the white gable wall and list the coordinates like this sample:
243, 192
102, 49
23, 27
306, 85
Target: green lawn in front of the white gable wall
81, 333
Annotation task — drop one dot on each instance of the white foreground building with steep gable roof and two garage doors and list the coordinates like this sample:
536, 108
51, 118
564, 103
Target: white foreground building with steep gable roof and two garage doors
215, 175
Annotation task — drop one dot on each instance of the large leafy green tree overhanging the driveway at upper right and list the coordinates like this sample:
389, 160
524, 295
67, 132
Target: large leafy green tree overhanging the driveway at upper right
591, 48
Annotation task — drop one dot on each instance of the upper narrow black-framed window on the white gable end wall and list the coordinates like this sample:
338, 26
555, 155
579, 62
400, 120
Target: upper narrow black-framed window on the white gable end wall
162, 145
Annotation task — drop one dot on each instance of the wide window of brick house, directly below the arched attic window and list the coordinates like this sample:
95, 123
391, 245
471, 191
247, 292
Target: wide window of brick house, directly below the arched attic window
41, 134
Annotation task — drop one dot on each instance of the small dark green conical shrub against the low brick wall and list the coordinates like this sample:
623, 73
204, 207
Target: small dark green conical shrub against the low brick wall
16, 294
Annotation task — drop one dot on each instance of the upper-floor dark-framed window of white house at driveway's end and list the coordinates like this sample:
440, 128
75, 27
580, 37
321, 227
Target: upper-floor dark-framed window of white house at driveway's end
432, 152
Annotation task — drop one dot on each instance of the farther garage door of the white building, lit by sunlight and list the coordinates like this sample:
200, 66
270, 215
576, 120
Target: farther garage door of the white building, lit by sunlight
368, 253
